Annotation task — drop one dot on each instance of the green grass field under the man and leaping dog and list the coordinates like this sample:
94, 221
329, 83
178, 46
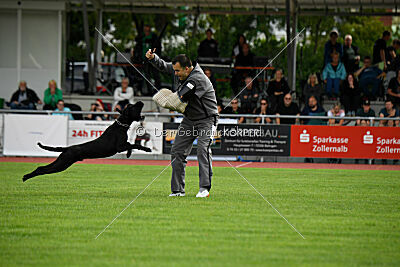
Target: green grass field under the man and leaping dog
348, 218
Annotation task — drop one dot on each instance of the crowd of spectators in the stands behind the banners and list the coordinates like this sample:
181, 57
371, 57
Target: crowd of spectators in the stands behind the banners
342, 79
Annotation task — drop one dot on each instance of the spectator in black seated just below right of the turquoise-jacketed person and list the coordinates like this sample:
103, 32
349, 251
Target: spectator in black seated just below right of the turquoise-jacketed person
350, 95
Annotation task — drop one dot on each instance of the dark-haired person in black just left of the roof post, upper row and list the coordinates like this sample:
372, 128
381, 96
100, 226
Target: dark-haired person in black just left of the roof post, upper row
277, 88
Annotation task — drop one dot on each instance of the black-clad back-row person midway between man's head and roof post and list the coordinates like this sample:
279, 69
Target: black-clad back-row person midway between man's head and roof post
245, 59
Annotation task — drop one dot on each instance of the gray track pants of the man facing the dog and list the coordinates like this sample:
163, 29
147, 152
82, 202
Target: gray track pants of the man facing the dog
188, 131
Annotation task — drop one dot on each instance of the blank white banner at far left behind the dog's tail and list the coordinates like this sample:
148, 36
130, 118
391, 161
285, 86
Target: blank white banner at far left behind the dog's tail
23, 132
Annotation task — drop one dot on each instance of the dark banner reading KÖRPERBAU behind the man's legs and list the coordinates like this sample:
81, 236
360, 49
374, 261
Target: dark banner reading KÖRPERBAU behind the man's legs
243, 139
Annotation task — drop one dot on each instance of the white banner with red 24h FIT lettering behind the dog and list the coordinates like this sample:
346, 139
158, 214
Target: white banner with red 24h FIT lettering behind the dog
142, 133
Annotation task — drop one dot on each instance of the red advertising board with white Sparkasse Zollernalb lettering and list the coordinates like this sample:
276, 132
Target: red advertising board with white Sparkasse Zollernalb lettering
345, 142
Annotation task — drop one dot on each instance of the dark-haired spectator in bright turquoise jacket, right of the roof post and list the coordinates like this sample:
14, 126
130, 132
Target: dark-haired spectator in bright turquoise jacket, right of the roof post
333, 73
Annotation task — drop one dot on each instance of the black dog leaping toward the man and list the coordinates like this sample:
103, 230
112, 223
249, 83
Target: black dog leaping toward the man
113, 140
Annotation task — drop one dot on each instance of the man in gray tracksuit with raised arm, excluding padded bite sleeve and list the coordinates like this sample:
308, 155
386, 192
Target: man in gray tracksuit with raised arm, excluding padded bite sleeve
200, 121
